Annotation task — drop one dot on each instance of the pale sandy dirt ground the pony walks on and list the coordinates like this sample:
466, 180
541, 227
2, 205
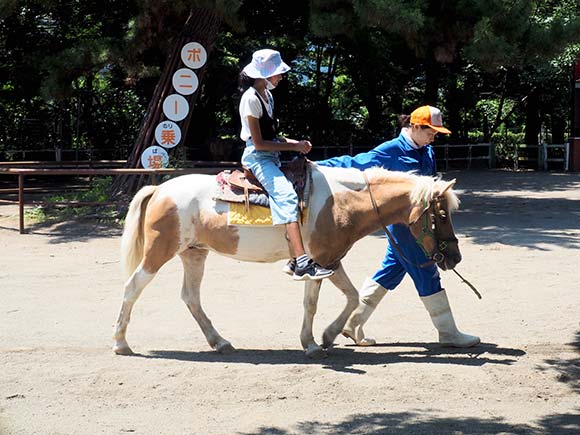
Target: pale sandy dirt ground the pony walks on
61, 288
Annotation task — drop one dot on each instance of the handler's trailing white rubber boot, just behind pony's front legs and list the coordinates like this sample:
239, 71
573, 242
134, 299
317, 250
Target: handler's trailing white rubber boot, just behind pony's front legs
370, 295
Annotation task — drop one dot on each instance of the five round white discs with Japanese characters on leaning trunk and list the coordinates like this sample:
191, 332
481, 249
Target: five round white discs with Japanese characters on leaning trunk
175, 107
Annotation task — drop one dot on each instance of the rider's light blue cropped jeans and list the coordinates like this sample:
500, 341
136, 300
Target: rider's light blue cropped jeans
265, 165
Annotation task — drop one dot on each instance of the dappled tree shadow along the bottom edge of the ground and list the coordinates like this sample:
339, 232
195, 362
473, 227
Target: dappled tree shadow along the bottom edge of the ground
417, 423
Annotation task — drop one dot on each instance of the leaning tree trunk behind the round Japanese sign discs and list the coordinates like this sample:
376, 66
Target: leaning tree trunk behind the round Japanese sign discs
202, 26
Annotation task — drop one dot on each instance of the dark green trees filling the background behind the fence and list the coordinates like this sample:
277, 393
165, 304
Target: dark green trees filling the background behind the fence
79, 75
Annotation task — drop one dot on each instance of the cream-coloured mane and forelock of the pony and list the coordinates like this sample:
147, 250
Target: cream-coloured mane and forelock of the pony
423, 189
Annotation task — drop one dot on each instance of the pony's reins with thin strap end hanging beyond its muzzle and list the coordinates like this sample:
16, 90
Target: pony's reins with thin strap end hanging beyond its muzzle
437, 256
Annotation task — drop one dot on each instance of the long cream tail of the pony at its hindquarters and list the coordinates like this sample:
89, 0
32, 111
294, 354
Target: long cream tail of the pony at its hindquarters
132, 240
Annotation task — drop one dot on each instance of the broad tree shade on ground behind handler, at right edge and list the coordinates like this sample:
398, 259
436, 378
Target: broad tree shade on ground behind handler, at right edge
487, 215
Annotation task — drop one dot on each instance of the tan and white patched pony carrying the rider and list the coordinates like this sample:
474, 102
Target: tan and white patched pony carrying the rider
181, 217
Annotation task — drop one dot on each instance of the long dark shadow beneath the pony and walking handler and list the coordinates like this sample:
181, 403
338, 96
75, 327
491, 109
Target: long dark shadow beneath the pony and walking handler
351, 361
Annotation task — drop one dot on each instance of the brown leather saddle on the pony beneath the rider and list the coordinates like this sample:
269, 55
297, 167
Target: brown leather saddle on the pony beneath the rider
241, 186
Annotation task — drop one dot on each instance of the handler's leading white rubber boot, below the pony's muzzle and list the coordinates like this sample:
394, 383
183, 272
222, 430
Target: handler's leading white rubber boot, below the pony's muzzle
438, 307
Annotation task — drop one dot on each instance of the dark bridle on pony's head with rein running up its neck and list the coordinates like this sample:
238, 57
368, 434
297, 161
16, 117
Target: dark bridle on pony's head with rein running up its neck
432, 211
